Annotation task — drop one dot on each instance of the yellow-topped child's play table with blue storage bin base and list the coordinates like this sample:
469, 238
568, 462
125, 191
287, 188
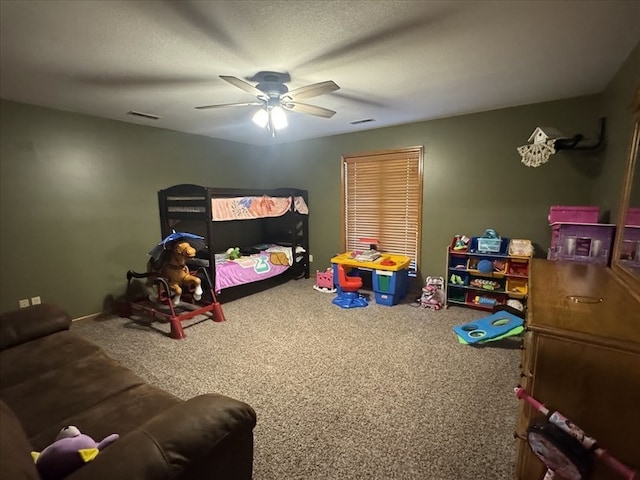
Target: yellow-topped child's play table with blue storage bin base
390, 281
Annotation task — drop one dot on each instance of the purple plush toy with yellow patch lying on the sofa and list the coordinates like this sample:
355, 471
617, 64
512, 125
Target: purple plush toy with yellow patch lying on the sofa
70, 451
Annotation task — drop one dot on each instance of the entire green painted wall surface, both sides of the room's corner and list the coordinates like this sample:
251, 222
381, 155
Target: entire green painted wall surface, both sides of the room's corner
78, 205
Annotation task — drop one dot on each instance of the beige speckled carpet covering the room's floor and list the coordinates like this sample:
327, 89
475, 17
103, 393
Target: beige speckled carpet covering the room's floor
377, 392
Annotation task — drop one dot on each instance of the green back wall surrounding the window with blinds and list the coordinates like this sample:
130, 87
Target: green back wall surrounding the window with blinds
473, 176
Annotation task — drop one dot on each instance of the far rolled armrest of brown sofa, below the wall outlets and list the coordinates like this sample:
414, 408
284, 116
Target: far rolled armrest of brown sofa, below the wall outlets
30, 323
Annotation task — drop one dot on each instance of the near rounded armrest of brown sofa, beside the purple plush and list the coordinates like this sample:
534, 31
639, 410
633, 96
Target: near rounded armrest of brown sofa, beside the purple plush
209, 436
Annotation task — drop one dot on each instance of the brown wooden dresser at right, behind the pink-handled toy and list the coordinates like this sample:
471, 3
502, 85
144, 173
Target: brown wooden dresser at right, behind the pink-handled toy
582, 359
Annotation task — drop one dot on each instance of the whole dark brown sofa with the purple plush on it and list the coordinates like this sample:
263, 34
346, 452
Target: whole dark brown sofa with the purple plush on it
50, 378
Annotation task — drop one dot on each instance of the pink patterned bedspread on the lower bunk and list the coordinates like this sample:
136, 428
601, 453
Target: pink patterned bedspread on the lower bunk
249, 269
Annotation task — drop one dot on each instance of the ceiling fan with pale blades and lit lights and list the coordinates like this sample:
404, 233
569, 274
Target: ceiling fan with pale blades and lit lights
274, 97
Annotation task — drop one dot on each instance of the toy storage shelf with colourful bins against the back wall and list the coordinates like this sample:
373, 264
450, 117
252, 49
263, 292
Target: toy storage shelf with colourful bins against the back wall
467, 286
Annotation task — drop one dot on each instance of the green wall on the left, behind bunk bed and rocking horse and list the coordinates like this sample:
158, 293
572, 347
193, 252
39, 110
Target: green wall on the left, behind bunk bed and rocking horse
78, 204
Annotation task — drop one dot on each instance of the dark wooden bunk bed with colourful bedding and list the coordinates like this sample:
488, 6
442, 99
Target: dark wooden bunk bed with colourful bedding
270, 227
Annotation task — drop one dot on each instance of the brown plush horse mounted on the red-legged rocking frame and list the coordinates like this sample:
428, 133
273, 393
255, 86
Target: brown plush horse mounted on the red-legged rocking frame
173, 266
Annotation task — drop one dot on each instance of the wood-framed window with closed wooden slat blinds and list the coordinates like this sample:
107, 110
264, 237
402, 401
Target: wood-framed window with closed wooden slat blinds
382, 195
